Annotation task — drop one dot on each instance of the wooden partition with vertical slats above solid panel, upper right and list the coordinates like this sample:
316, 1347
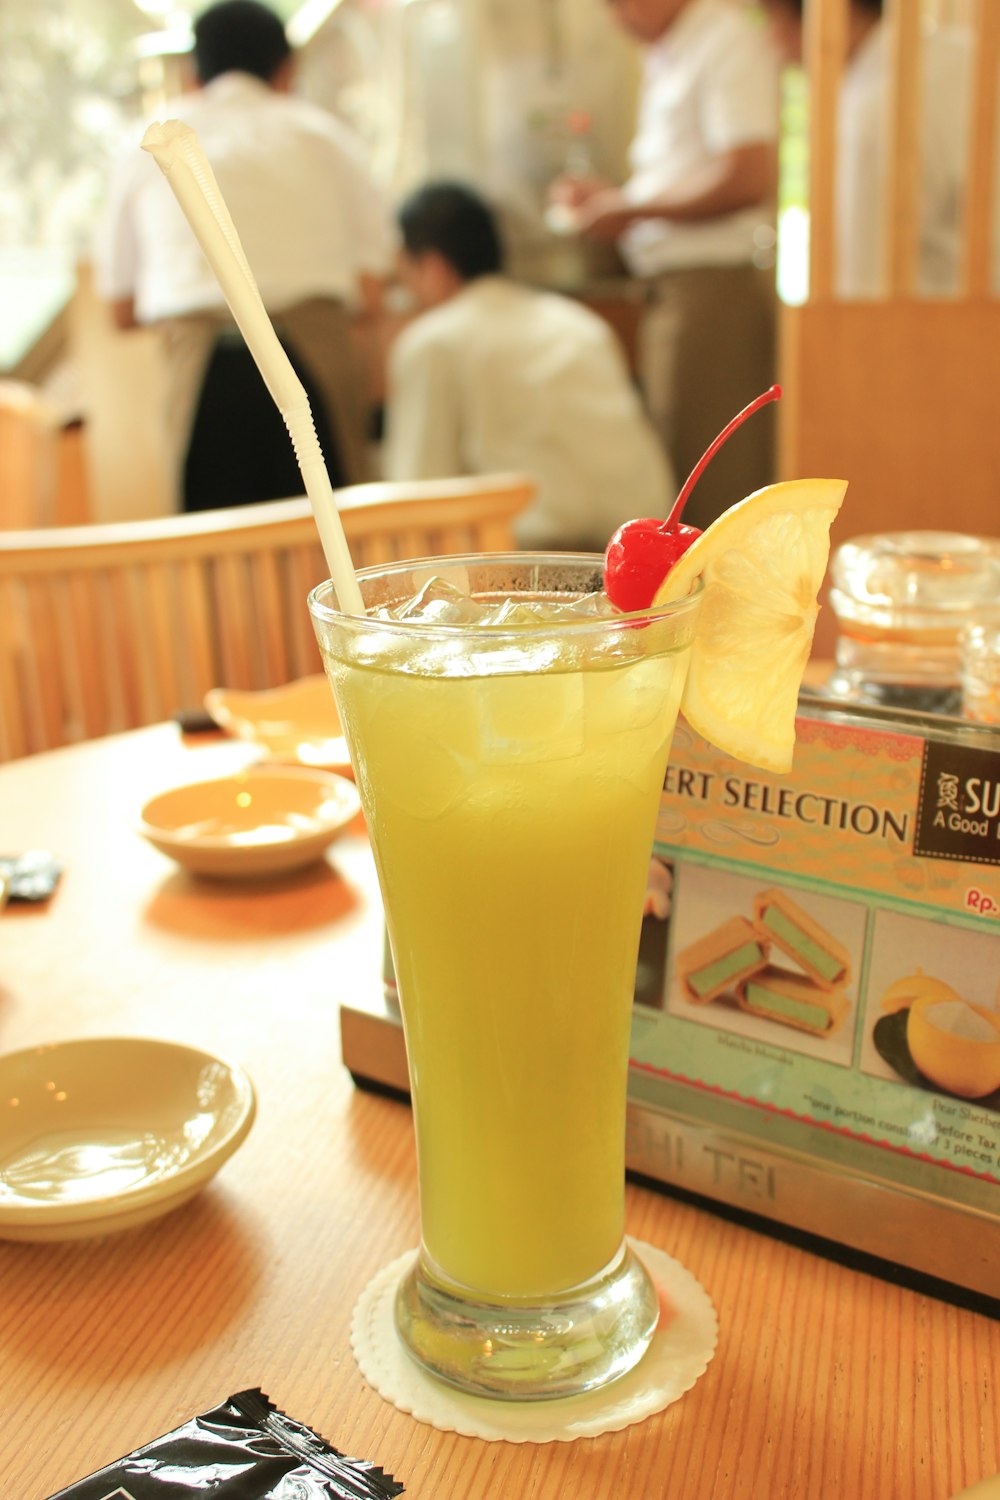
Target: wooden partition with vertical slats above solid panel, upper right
897, 395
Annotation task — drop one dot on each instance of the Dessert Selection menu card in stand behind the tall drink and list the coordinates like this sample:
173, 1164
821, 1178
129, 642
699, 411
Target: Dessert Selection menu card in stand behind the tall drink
816, 1031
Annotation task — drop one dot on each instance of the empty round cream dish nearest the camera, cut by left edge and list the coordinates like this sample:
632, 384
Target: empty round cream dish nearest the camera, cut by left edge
103, 1135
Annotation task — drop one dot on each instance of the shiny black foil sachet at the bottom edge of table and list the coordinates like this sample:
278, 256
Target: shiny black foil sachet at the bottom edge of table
244, 1450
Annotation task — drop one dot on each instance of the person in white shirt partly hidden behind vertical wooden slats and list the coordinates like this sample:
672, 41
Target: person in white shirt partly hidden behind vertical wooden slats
863, 167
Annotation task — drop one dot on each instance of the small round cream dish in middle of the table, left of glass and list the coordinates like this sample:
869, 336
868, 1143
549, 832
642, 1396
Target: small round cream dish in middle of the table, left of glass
263, 821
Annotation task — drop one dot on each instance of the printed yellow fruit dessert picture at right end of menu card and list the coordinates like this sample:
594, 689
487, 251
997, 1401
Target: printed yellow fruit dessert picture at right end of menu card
936, 1039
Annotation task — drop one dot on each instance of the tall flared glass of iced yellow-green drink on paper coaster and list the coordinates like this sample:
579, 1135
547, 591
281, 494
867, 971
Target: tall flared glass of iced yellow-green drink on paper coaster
510, 775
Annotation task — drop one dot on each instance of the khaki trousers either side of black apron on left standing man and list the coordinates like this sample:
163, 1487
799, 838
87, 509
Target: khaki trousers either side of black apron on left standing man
320, 334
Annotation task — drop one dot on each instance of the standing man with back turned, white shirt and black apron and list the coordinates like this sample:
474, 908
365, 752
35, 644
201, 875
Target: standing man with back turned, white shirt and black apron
317, 238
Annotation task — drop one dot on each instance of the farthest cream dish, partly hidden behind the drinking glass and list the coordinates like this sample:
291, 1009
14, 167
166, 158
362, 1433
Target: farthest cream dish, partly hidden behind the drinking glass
298, 724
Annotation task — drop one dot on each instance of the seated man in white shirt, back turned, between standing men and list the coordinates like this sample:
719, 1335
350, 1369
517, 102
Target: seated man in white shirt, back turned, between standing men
496, 377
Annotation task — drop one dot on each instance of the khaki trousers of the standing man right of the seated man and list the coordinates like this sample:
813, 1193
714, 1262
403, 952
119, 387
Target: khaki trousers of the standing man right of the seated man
707, 347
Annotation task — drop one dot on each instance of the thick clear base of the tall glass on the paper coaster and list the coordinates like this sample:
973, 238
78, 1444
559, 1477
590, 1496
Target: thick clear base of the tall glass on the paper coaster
530, 1351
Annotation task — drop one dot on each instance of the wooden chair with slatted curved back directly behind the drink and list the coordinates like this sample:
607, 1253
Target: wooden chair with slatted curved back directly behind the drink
109, 628
